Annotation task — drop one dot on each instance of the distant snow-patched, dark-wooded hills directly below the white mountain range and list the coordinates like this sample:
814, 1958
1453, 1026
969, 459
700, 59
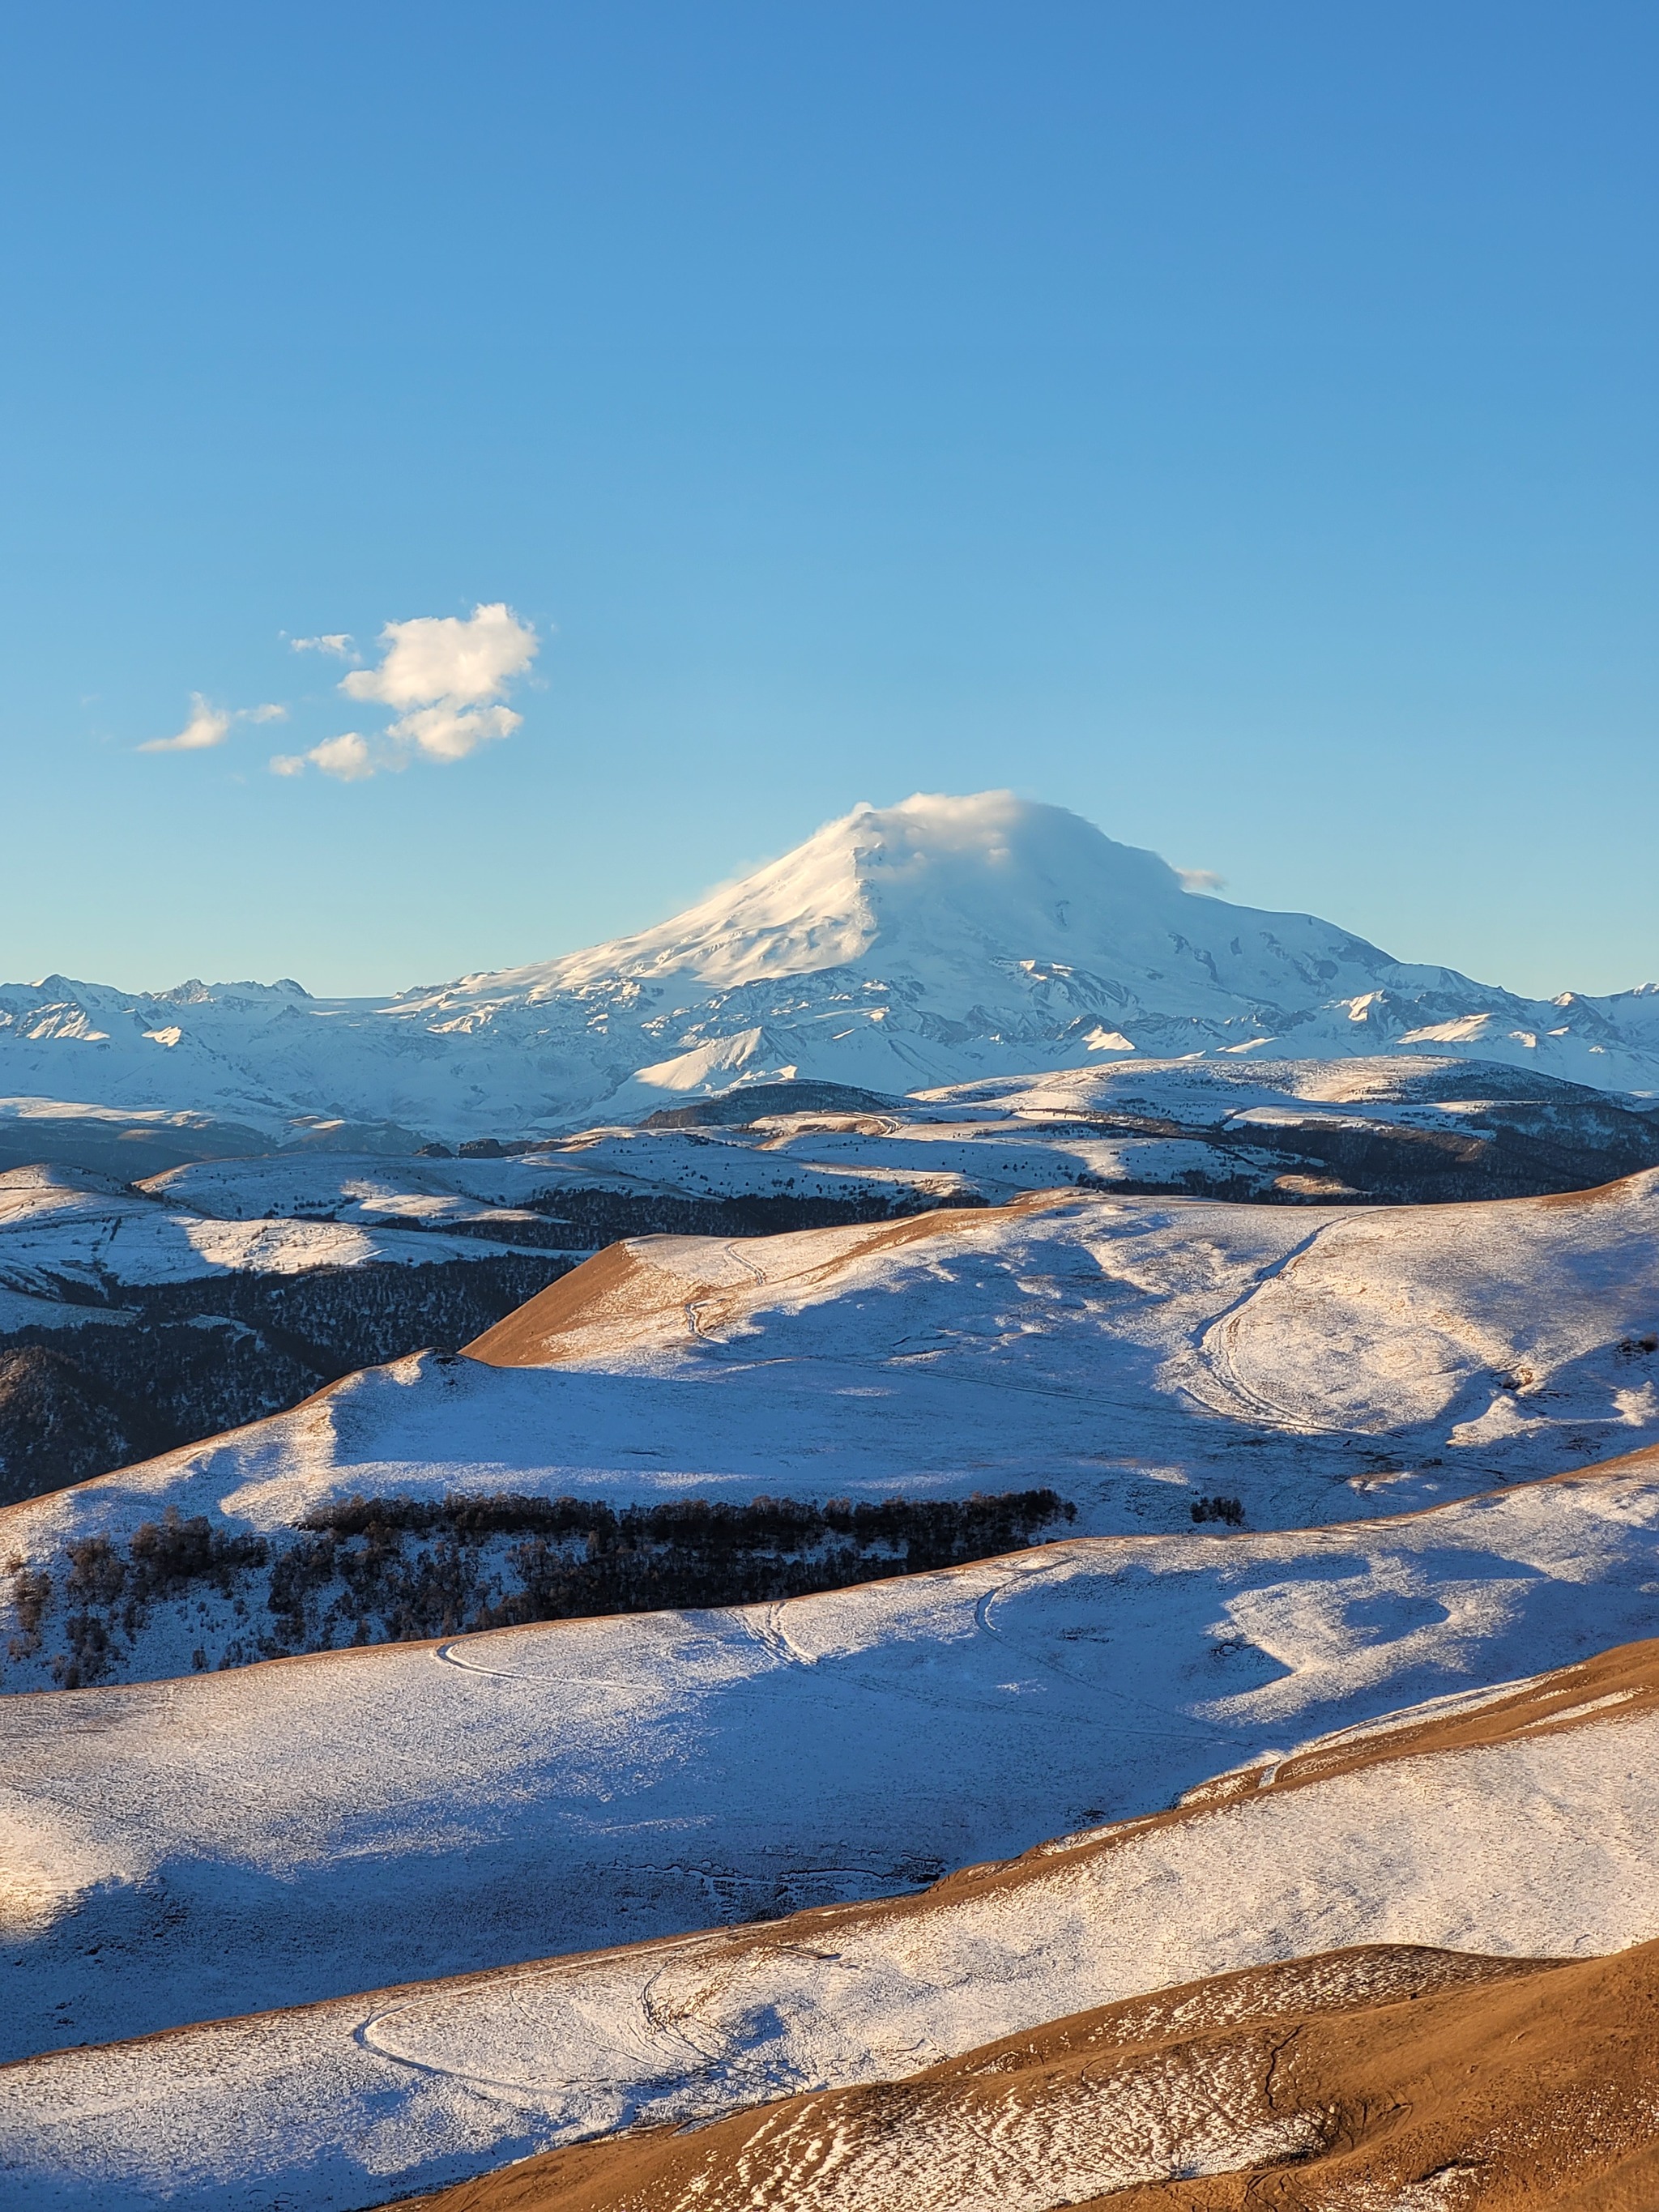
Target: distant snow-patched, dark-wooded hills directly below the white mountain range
211, 1273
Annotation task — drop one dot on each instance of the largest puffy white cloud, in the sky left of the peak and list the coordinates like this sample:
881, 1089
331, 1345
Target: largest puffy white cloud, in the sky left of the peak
448, 680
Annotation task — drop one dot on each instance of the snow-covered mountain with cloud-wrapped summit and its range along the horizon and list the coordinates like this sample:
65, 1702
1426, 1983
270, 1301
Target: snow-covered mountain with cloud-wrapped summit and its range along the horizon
930, 943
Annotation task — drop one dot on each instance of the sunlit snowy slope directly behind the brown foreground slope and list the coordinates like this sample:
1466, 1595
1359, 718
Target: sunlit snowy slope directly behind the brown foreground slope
1538, 1846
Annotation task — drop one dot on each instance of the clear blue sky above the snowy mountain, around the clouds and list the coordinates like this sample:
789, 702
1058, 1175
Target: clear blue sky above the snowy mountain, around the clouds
1229, 421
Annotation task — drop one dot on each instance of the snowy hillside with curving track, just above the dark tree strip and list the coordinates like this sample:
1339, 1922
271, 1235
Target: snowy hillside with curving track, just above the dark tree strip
1315, 1364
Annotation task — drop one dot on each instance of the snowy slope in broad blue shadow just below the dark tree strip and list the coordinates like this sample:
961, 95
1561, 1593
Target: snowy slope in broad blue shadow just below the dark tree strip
275, 1835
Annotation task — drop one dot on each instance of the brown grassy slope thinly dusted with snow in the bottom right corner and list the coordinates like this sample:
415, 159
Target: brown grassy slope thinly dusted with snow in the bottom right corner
1355, 2083
